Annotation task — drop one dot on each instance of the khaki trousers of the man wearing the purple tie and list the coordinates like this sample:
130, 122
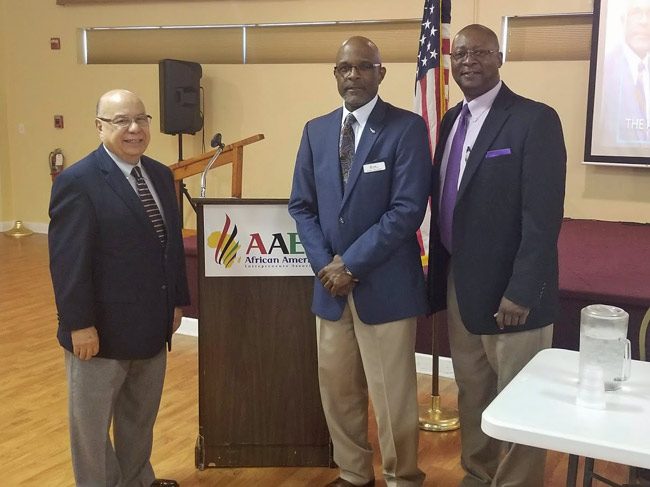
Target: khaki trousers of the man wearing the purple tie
483, 366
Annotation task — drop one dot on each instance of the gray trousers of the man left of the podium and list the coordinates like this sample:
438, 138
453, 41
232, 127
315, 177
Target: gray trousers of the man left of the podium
122, 393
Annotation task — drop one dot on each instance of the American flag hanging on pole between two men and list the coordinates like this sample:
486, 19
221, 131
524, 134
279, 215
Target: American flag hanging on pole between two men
432, 81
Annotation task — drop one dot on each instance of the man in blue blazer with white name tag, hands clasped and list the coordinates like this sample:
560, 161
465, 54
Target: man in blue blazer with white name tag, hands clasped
359, 195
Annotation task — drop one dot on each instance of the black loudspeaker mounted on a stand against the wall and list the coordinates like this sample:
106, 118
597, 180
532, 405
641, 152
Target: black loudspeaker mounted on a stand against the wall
180, 108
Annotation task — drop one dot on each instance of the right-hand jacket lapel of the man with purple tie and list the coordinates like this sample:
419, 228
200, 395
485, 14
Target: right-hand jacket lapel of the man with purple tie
499, 113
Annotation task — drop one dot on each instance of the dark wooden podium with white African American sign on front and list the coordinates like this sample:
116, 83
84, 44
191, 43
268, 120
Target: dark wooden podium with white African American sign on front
259, 402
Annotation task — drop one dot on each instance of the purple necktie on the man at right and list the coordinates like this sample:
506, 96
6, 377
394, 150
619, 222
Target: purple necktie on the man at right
450, 188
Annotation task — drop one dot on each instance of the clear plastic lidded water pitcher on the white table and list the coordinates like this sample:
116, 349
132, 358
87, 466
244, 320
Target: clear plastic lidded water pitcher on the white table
604, 343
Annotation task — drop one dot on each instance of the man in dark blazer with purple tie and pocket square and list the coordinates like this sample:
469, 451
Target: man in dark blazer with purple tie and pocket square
498, 197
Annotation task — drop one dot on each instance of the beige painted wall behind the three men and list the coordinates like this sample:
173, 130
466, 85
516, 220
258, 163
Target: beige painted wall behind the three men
274, 100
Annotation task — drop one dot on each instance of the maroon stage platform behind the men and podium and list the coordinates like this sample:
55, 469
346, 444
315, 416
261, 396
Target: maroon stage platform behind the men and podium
600, 262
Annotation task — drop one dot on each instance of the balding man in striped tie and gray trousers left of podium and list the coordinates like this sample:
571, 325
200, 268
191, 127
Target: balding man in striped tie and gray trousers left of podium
118, 270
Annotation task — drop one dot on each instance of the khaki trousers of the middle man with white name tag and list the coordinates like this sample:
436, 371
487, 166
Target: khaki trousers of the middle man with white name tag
354, 360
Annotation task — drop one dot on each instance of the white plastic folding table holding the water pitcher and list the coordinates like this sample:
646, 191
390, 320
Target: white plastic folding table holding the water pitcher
538, 408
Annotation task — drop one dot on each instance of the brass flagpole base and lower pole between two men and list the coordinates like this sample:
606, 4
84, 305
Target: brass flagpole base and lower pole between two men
432, 416
